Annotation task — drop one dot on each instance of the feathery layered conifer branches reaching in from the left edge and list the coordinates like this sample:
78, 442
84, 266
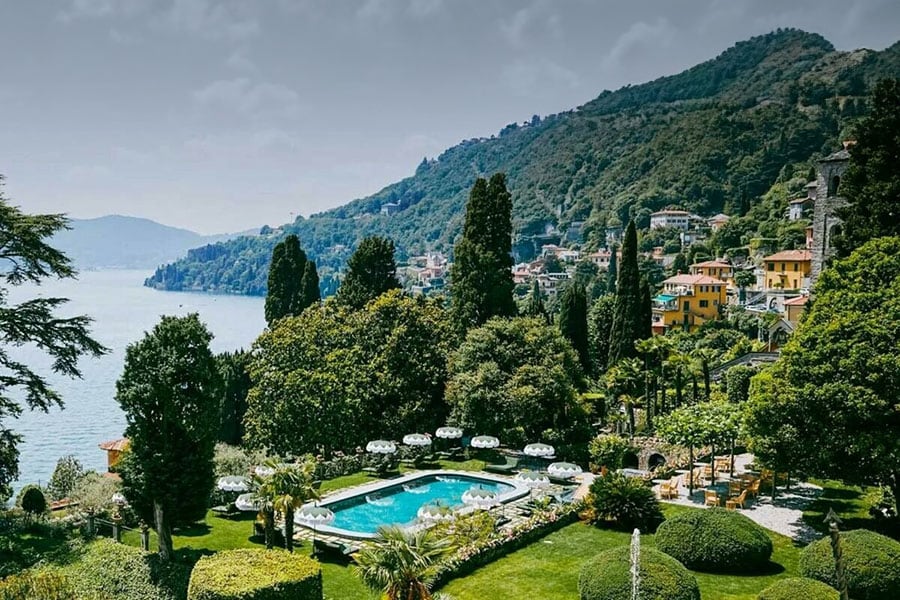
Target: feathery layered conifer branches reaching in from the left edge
26, 257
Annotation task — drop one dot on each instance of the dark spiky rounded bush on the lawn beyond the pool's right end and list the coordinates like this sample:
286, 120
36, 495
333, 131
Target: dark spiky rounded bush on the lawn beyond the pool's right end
628, 501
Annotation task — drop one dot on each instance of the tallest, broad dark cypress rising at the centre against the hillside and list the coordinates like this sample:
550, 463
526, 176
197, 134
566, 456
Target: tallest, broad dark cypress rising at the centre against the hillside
481, 276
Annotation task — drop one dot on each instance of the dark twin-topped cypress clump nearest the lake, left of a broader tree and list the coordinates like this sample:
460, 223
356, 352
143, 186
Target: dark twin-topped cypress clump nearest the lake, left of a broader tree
285, 295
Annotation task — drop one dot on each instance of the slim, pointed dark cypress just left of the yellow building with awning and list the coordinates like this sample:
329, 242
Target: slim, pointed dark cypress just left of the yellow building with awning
626, 327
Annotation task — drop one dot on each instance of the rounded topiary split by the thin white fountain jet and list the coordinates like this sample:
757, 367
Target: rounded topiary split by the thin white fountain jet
607, 576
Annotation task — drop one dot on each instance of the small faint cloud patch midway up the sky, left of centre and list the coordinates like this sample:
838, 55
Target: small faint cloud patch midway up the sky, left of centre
254, 101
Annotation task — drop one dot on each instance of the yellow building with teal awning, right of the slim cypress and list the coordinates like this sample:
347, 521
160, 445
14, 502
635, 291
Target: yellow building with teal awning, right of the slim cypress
687, 301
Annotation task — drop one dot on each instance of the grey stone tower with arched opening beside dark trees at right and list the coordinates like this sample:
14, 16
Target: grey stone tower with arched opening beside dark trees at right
826, 223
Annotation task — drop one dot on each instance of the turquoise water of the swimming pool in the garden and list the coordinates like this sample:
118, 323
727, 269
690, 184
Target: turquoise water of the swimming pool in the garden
399, 505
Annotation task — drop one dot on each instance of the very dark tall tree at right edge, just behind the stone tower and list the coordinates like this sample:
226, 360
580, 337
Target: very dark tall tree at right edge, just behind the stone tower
872, 180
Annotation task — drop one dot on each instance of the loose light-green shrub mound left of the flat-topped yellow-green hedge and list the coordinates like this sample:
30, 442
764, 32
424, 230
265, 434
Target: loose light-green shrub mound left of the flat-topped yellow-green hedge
105, 569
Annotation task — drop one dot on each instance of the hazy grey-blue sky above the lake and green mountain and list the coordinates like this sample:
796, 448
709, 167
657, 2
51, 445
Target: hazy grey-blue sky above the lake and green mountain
224, 115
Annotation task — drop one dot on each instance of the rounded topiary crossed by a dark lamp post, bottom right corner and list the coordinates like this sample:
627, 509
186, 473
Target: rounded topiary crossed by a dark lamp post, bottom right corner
871, 564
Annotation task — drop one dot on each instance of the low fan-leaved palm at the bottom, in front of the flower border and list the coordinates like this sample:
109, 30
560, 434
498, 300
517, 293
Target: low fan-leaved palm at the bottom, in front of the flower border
400, 564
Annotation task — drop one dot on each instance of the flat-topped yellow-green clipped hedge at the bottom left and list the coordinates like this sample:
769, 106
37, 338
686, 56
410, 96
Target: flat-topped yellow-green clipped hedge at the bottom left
251, 574
